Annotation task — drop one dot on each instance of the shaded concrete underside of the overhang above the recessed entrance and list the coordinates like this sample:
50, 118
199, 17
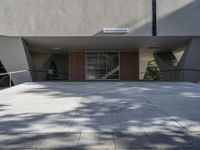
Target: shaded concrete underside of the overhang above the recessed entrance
48, 44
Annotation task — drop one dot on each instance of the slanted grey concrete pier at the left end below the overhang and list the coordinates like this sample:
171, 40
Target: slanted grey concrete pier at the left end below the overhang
15, 56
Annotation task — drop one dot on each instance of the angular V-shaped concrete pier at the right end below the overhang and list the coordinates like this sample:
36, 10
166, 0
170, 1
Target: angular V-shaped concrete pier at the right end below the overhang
188, 68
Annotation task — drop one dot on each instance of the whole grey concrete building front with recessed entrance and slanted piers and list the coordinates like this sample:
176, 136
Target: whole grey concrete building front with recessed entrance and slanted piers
80, 40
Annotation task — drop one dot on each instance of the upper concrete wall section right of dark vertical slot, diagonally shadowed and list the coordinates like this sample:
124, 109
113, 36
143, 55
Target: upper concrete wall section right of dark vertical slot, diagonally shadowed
178, 17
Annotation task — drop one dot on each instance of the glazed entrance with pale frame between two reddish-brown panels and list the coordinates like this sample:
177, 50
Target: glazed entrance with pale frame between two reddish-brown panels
102, 66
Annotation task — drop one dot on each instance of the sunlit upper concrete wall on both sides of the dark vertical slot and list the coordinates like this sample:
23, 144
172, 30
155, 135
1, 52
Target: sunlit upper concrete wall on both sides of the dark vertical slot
89, 17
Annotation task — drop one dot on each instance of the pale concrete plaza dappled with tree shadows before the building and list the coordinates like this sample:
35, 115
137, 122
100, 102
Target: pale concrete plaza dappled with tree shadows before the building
104, 115
